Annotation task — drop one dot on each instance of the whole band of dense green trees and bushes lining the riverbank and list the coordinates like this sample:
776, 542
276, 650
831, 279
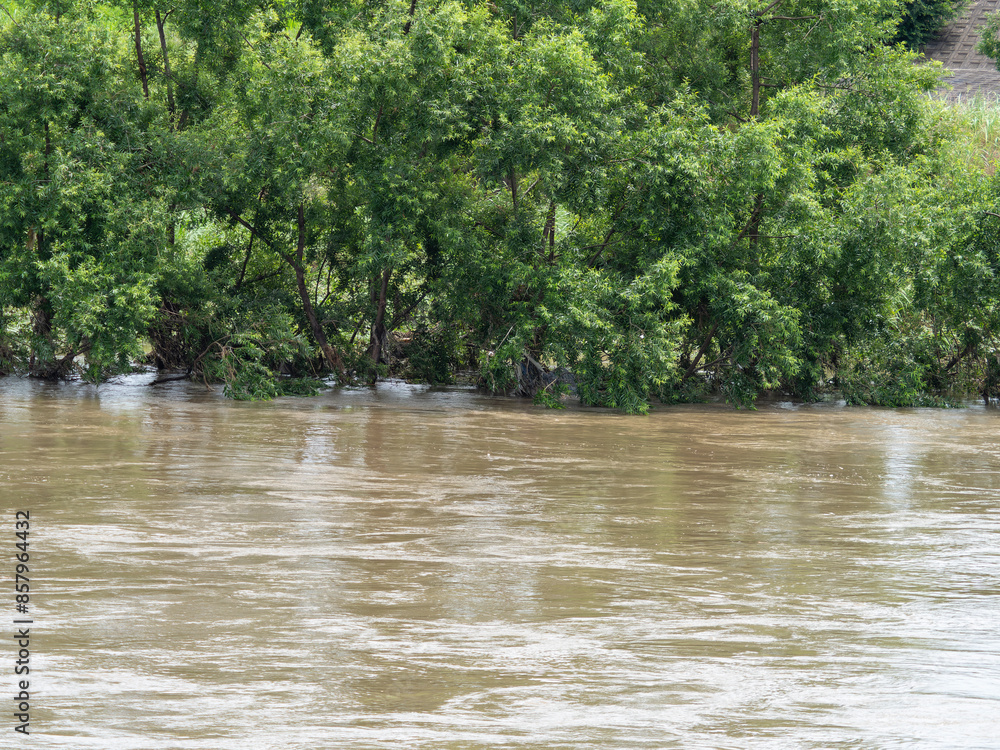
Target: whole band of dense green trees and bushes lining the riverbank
634, 200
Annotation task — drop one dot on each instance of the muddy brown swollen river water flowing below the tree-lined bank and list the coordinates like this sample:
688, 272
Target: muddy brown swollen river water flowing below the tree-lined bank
420, 568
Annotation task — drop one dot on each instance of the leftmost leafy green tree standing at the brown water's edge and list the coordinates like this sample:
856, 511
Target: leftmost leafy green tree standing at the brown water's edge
79, 218
